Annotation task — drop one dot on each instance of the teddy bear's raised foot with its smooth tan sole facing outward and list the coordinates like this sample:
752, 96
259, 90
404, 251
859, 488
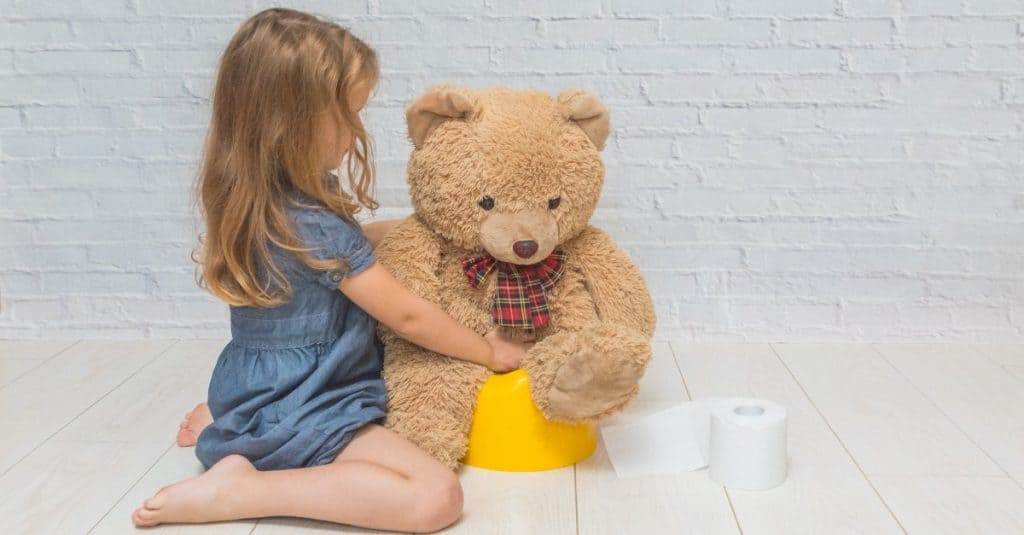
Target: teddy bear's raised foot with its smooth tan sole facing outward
601, 376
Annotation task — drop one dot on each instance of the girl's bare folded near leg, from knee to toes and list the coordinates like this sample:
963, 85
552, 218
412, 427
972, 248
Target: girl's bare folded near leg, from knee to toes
380, 482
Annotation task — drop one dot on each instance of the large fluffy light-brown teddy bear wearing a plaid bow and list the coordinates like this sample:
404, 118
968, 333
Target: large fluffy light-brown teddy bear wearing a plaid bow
503, 184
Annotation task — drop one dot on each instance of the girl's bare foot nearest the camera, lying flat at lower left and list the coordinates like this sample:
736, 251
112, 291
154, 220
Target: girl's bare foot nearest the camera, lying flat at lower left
209, 498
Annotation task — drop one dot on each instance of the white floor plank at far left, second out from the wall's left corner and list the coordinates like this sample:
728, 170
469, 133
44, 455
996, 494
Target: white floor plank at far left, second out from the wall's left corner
51, 396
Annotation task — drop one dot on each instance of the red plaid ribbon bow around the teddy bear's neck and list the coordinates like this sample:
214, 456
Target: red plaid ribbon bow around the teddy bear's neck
521, 302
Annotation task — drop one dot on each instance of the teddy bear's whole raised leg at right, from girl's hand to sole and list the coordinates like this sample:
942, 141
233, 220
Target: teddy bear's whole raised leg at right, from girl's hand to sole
587, 375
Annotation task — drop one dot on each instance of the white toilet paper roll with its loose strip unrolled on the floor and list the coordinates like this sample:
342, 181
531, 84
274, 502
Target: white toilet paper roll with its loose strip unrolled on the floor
742, 441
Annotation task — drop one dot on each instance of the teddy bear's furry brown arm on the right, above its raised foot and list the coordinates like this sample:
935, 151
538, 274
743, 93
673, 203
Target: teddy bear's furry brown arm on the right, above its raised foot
615, 282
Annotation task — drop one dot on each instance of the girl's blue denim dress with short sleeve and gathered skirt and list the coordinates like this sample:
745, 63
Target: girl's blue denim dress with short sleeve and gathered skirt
298, 381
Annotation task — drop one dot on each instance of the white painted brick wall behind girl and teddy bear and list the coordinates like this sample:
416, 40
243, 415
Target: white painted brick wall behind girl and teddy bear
785, 170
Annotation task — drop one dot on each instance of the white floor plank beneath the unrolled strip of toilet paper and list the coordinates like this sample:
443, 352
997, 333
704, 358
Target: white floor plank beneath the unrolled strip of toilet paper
677, 504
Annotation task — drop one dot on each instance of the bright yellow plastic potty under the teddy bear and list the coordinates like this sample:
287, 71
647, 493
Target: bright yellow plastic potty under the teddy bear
509, 433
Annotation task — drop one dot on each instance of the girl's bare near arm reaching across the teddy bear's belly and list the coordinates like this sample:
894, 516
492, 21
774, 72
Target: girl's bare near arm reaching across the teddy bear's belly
424, 323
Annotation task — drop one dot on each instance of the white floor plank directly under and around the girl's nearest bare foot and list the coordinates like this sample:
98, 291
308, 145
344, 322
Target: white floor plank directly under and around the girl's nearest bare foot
174, 466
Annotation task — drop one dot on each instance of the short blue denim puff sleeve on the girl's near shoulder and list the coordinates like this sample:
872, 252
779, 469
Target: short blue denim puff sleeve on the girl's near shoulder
330, 237
